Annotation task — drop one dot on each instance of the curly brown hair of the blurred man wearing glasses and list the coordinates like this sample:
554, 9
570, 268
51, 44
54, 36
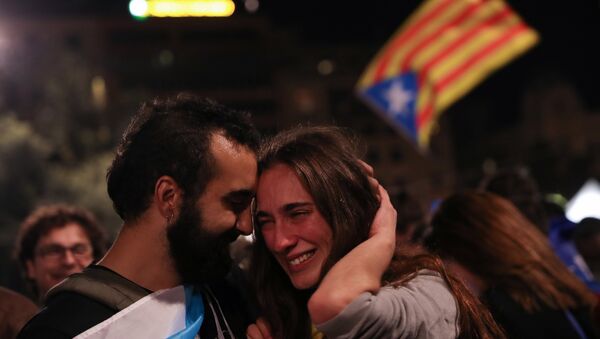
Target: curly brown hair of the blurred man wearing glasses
49, 217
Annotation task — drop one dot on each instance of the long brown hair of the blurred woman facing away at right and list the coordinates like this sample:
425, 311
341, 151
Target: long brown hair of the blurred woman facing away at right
491, 238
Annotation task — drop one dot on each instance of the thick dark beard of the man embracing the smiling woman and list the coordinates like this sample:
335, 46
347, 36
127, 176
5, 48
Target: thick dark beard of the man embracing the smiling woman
199, 257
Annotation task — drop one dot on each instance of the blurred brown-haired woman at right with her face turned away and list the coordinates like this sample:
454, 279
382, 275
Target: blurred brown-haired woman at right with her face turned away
508, 262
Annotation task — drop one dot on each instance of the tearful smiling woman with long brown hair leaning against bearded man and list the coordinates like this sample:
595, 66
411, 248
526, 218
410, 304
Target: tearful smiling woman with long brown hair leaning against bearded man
317, 259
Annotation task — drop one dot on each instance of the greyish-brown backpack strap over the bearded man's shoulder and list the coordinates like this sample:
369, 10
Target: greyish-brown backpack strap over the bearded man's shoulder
103, 286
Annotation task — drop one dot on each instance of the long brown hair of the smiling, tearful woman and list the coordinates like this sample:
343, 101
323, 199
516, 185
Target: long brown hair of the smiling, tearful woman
325, 161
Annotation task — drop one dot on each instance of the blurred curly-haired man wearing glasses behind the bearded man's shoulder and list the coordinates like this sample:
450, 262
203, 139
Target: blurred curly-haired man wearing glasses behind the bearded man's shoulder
56, 241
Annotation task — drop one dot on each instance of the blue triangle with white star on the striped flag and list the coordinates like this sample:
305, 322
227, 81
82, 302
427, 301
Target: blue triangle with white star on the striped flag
396, 99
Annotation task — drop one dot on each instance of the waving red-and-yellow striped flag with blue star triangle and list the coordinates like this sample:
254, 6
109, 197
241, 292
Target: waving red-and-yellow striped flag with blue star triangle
443, 50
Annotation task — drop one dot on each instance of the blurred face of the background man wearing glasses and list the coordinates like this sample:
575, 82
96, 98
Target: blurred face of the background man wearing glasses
59, 253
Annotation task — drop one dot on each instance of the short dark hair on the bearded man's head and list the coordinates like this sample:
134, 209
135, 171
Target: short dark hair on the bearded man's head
172, 137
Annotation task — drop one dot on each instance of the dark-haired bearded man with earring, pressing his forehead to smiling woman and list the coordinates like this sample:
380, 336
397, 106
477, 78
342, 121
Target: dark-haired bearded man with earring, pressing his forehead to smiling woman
182, 181
